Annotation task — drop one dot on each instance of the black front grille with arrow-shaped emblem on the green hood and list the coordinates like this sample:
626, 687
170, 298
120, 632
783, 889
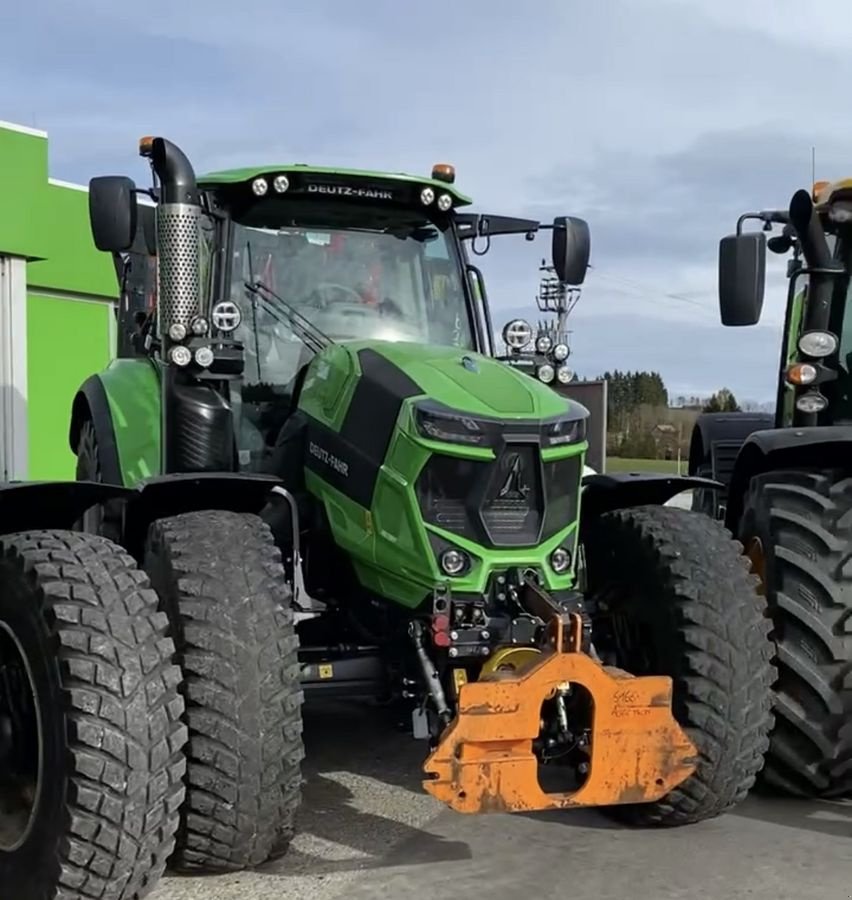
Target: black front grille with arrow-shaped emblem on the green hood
512, 501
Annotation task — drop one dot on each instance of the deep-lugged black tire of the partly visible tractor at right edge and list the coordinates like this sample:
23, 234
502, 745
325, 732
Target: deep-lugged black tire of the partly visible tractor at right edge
803, 520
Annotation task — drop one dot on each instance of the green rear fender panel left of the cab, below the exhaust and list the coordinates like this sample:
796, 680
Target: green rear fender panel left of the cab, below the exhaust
132, 388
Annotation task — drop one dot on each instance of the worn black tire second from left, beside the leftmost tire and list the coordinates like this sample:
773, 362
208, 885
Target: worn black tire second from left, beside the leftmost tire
221, 581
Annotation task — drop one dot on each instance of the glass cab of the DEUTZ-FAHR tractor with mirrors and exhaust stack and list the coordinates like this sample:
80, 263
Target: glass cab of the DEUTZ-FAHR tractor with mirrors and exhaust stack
264, 267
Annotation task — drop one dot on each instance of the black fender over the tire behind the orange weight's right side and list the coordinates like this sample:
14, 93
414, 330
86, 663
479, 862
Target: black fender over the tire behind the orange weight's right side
604, 493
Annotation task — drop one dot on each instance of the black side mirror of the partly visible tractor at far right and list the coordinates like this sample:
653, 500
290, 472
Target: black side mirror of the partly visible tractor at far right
742, 272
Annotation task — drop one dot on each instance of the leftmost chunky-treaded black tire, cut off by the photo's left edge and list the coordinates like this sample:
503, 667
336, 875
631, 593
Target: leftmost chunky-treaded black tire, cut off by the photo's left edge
83, 618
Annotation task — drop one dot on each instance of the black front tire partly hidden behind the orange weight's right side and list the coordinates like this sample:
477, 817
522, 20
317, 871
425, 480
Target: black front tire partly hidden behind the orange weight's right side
680, 581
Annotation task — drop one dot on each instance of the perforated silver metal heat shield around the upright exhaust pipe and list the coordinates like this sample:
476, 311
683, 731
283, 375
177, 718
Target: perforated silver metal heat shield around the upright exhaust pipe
178, 251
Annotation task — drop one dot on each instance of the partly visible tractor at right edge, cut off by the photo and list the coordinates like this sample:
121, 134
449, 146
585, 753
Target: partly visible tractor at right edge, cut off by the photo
787, 480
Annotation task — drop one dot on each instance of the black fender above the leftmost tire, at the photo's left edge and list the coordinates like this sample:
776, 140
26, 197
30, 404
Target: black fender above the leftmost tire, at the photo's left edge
38, 505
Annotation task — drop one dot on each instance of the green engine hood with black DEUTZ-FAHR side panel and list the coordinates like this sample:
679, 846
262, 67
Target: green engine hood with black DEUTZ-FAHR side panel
368, 464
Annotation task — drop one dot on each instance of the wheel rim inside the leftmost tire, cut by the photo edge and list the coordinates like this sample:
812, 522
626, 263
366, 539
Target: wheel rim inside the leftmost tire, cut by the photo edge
21, 744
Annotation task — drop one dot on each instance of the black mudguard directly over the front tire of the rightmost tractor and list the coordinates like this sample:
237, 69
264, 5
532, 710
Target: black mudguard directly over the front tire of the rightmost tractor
817, 447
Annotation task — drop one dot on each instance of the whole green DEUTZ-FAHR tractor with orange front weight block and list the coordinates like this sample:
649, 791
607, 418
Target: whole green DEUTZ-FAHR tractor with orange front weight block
331, 488
